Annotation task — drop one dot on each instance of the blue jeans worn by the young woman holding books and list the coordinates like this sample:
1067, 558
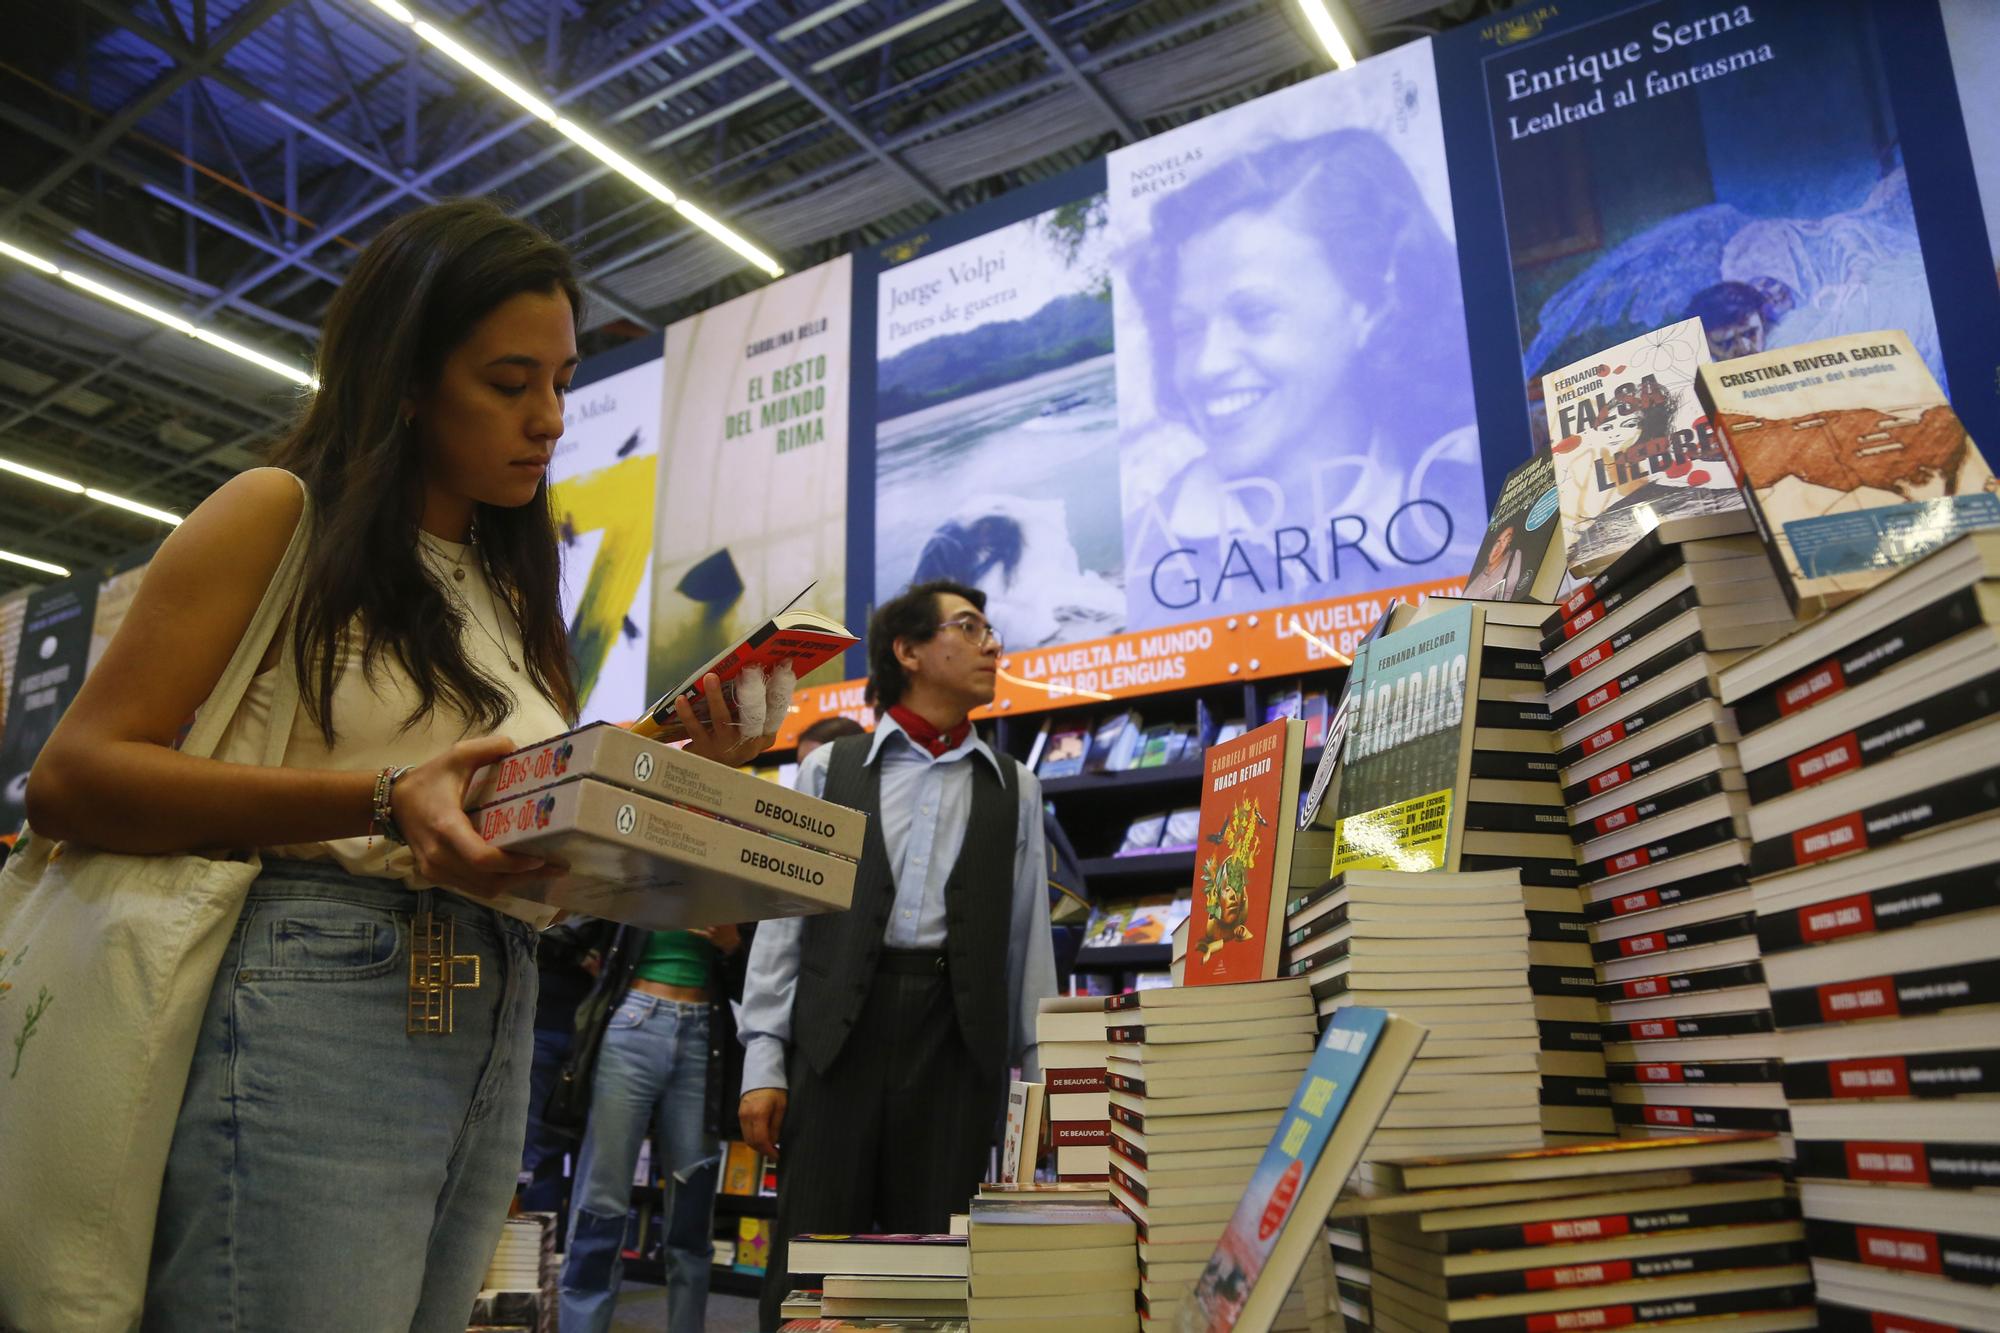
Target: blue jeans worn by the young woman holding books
331, 1170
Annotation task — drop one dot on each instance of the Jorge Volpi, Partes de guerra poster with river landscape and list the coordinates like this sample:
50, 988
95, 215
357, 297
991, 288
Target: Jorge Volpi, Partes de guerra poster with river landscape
997, 441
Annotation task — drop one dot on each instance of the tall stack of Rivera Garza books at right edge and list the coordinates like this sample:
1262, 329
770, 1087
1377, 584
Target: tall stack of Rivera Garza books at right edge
1873, 766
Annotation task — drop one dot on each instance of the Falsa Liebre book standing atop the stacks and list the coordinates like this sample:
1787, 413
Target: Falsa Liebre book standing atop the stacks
1633, 445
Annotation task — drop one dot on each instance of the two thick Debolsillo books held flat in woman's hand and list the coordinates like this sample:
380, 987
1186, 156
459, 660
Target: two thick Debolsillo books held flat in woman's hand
655, 838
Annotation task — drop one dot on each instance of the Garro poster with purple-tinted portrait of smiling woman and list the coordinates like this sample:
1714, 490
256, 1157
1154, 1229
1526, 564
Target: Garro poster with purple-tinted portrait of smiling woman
1295, 395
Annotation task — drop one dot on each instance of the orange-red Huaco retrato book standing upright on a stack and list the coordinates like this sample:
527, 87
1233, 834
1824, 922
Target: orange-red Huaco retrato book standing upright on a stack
1243, 854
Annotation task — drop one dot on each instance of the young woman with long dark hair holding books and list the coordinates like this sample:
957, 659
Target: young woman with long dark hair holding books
353, 1120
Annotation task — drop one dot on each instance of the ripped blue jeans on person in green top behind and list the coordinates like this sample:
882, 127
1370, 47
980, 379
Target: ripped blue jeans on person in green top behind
653, 1074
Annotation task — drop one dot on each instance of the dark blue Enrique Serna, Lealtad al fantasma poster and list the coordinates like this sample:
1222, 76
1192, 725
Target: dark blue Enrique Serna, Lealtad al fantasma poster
1737, 163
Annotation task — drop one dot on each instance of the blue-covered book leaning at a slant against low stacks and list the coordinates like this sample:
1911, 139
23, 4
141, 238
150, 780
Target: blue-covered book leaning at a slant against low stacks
1341, 1098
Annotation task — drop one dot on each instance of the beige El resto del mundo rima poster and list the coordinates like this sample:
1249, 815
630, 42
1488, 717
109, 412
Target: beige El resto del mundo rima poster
753, 467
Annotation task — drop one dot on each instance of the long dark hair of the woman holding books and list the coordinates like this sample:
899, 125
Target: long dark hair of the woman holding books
415, 295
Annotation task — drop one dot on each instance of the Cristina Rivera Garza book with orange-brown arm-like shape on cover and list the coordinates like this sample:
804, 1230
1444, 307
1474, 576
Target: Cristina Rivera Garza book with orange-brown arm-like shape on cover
1851, 457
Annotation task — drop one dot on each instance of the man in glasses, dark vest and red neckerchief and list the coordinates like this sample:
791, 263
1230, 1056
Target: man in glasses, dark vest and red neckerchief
879, 1040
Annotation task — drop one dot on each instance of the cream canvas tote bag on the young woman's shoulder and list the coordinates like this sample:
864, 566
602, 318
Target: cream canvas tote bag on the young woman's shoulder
109, 962
